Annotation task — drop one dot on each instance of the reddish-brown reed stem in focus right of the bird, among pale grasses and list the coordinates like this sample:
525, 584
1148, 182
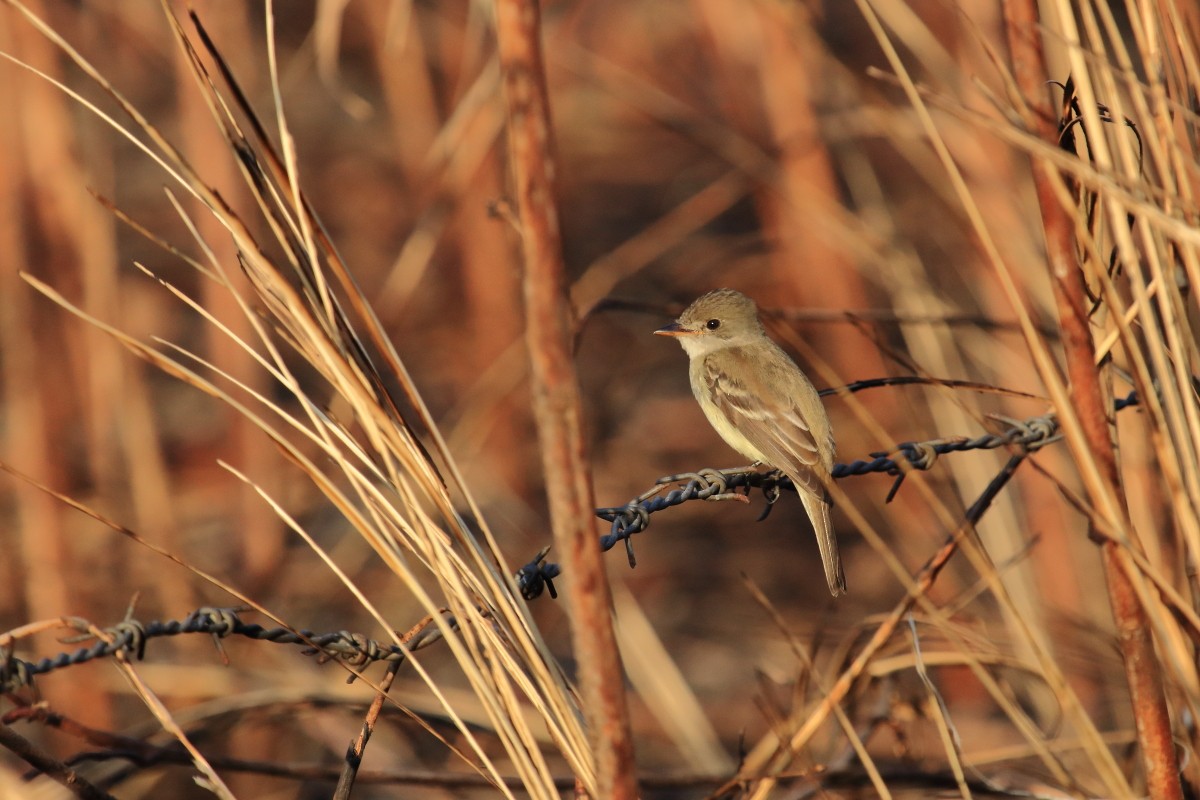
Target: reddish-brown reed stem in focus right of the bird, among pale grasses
1142, 666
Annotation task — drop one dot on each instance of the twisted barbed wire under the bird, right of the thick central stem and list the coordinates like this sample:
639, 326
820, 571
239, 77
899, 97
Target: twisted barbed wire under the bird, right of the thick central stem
634, 518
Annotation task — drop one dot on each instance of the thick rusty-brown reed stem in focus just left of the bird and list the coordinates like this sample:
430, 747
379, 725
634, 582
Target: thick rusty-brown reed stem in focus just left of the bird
557, 398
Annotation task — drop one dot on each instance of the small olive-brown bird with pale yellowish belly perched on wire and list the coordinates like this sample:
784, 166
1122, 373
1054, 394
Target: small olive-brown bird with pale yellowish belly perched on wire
761, 405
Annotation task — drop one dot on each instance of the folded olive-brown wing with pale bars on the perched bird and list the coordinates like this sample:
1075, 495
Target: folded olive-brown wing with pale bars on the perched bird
773, 424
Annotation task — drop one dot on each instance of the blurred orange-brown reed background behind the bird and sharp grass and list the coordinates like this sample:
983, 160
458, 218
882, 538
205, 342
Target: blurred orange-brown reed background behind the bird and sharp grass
701, 145
